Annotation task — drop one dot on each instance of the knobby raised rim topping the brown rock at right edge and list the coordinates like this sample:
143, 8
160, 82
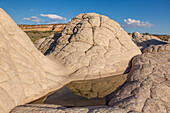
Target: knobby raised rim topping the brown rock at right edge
157, 48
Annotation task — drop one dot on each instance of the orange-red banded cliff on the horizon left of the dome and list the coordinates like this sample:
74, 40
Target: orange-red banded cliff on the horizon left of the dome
47, 27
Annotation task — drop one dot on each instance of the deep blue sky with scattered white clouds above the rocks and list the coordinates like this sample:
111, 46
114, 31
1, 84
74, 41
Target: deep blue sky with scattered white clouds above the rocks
151, 16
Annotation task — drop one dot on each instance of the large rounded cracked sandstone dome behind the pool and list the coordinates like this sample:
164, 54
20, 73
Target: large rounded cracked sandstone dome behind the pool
93, 46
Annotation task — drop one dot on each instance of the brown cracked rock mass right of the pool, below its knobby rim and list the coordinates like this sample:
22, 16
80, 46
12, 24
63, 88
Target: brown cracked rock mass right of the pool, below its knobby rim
148, 85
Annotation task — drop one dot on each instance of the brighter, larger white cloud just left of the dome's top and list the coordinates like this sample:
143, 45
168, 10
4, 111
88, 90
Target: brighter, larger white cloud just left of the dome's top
54, 18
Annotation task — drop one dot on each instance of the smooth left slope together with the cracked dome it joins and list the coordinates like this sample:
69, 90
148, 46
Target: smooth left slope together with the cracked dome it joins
27, 75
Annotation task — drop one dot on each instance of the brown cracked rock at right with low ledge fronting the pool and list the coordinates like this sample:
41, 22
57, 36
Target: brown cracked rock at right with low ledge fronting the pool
147, 90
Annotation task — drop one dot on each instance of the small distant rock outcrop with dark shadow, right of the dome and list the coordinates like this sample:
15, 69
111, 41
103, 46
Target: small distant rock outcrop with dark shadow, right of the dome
143, 41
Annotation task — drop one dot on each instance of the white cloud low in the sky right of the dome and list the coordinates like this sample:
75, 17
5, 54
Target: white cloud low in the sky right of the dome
132, 23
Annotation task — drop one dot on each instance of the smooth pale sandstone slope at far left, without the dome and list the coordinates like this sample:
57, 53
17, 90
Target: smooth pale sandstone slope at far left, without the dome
25, 74
